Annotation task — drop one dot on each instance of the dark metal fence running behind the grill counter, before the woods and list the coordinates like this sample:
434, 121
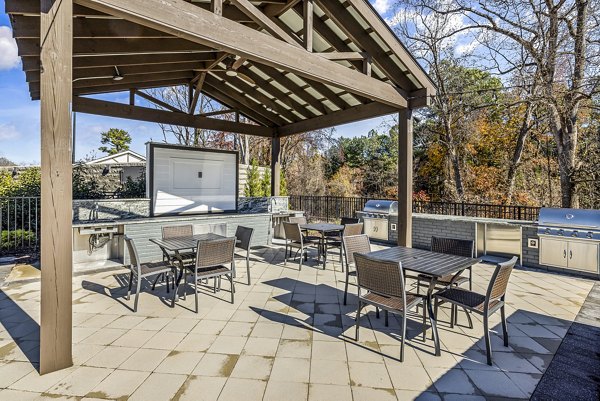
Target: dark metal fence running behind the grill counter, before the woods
336, 207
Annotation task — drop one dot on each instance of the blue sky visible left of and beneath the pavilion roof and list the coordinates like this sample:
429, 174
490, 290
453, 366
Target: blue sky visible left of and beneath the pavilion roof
20, 116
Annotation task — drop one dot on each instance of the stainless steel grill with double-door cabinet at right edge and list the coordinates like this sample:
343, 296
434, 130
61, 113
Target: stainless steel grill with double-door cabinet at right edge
570, 239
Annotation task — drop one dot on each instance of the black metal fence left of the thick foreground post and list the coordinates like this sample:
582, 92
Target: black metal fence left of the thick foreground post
19, 223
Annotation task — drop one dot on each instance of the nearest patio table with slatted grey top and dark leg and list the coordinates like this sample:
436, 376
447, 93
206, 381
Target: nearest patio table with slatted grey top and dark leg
433, 264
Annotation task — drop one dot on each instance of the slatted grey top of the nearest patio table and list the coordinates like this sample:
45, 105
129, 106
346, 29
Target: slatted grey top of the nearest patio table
433, 264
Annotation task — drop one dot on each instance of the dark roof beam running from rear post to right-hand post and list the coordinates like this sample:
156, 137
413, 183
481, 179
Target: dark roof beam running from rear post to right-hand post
356, 113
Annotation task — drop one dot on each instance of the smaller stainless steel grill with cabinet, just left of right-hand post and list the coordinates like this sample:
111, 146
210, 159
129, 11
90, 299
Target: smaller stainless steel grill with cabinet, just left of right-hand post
380, 218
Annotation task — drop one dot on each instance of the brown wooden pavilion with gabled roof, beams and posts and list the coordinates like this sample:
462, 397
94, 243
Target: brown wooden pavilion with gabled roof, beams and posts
288, 66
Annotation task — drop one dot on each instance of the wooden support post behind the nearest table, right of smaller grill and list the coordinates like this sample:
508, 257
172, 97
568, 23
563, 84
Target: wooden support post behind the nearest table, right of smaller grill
405, 167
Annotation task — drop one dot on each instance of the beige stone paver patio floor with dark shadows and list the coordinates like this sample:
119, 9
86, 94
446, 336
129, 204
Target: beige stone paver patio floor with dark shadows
287, 337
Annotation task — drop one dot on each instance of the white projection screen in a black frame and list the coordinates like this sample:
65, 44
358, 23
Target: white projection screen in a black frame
186, 180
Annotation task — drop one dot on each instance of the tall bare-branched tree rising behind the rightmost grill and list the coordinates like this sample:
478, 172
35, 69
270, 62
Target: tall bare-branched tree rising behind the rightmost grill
560, 44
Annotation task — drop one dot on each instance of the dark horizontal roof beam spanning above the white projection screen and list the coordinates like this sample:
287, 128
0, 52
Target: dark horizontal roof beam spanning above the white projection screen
119, 110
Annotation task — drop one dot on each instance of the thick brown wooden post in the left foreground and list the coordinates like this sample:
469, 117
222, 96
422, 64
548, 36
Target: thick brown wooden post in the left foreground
56, 210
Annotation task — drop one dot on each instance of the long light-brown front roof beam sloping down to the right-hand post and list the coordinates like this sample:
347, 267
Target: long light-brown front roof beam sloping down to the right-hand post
197, 25
